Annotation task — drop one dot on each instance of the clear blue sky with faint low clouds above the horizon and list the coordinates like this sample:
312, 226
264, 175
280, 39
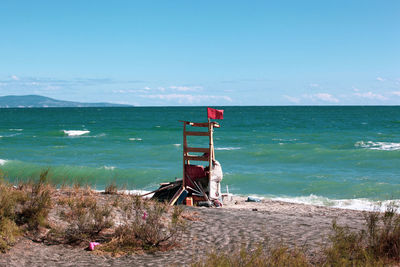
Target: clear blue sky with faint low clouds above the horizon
202, 53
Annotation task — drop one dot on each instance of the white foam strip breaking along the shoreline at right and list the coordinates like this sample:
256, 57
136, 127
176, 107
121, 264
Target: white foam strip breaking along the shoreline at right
352, 204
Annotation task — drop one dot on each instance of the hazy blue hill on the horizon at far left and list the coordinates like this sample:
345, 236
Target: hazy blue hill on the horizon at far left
37, 101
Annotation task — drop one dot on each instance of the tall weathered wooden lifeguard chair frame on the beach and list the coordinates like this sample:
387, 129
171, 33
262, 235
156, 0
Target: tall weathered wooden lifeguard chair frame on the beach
207, 156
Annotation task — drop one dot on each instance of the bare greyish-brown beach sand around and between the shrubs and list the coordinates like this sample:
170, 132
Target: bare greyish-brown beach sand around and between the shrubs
237, 224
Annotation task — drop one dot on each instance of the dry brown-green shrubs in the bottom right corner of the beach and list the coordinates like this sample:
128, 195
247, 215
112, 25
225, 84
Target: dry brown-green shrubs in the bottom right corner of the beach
378, 244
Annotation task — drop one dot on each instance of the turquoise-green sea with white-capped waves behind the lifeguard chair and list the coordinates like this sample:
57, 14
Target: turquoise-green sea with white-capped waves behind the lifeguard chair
338, 156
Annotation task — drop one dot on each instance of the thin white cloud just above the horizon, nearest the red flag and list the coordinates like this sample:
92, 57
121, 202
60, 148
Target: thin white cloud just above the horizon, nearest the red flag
187, 99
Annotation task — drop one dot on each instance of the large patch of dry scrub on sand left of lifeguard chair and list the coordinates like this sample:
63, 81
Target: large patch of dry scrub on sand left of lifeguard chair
80, 215
